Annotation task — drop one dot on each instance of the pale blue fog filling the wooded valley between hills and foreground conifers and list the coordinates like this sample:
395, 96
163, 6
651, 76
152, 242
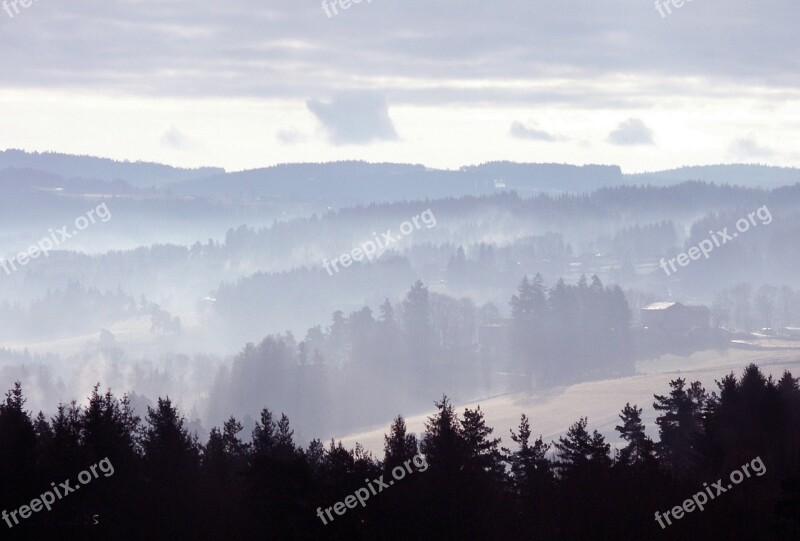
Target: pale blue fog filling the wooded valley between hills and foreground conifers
229, 304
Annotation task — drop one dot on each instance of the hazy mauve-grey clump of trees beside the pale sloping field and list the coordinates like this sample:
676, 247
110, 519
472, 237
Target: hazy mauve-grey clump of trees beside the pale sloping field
396, 359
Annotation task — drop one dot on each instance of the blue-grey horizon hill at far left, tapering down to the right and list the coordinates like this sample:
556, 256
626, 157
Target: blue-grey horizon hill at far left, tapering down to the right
140, 174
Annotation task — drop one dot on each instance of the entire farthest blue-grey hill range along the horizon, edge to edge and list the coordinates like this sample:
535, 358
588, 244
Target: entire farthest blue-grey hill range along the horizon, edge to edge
358, 182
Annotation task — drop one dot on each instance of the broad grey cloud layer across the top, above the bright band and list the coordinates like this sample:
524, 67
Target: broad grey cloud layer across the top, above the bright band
291, 49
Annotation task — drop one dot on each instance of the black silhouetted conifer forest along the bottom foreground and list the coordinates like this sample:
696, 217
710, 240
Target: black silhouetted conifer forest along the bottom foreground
266, 485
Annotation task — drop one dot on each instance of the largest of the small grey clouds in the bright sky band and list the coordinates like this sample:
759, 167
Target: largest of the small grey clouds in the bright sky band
354, 118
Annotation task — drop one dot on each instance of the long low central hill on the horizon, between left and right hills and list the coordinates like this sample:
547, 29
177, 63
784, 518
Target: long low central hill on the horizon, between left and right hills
362, 182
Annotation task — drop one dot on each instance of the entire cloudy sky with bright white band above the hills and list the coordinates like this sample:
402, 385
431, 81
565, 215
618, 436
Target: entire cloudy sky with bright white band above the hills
243, 84
